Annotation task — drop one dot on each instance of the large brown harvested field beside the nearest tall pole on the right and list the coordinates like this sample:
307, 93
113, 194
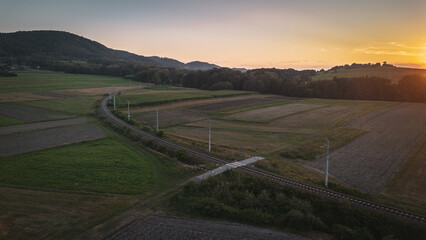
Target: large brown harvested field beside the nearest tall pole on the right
370, 161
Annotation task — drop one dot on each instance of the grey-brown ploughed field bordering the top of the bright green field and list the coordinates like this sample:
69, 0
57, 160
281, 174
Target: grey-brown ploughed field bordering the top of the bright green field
37, 140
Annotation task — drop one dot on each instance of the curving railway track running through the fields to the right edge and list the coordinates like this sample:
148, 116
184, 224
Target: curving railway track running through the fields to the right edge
260, 173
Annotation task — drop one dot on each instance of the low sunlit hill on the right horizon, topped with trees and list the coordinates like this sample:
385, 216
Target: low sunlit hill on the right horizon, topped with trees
386, 71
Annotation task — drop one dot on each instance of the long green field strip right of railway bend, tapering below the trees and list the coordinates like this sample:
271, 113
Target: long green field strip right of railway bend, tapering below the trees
161, 97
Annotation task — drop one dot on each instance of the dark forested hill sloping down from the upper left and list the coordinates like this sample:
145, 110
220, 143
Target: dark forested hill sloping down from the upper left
32, 47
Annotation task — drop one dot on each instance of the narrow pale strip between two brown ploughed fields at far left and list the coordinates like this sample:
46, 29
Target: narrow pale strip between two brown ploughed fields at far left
41, 125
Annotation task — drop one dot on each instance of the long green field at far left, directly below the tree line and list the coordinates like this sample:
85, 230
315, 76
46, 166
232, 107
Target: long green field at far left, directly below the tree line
43, 81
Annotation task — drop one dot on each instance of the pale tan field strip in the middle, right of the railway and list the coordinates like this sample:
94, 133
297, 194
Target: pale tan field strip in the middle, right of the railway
270, 113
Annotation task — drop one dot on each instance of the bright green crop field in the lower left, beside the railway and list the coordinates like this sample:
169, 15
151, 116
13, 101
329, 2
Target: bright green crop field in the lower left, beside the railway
101, 166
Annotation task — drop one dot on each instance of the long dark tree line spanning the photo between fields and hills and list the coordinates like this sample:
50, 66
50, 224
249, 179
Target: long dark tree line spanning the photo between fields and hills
288, 82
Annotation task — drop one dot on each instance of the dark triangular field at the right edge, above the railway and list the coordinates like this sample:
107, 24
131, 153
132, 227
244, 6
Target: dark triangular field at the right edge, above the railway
410, 181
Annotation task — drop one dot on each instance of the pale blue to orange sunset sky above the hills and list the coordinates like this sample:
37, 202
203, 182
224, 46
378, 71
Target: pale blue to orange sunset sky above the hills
300, 34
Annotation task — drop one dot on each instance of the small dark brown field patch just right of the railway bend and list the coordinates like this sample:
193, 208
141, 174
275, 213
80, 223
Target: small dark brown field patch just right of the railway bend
170, 117
